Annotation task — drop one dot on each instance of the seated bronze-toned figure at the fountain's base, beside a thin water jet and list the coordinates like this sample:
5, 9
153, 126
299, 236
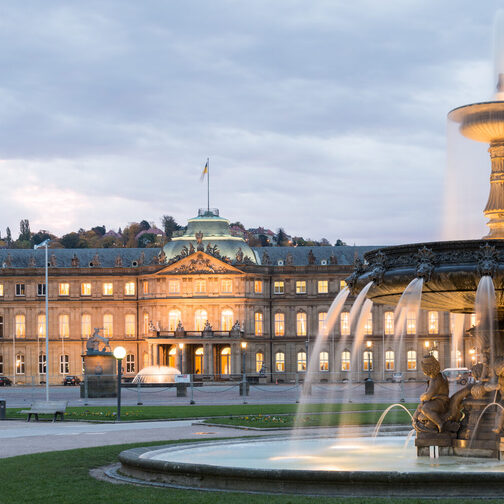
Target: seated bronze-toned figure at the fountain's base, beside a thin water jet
434, 408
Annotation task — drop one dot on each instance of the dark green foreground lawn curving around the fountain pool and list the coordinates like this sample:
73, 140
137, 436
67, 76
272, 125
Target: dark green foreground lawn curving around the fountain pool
63, 477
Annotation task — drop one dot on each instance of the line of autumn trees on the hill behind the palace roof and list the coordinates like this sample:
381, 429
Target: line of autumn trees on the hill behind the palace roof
145, 234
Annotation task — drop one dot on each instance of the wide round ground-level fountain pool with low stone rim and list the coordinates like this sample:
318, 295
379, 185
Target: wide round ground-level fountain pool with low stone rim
314, 466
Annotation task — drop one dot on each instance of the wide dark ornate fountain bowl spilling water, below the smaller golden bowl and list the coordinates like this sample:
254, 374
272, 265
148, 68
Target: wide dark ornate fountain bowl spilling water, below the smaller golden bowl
451, 272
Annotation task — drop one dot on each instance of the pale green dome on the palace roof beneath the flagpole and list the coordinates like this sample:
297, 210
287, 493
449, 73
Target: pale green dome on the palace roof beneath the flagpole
211, 233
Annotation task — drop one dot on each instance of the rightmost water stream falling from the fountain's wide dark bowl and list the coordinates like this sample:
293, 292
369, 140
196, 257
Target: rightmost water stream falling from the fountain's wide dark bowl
485, 319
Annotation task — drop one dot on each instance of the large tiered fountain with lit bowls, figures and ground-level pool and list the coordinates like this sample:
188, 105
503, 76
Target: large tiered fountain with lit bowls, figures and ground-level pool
459, 438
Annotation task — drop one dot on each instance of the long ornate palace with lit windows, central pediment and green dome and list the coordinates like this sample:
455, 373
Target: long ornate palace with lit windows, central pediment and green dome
193, 303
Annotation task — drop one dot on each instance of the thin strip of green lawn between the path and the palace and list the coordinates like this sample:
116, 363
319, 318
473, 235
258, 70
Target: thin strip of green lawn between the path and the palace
107, 413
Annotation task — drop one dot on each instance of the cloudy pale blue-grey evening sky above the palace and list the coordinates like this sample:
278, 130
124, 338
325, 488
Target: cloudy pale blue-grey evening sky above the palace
325, 117
